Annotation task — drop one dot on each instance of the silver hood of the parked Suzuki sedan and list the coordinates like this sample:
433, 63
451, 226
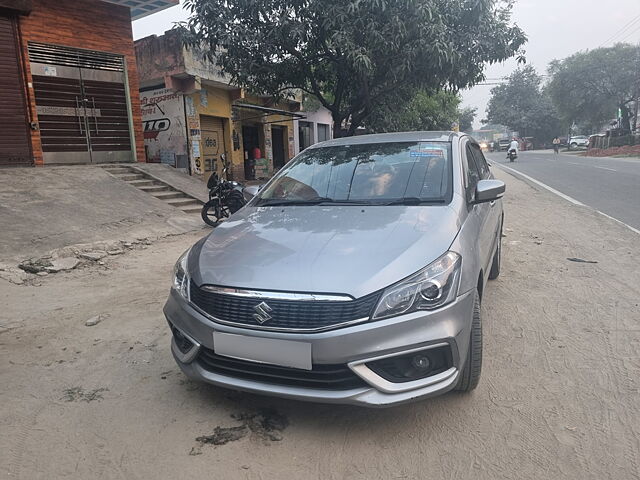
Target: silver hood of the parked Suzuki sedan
339, 249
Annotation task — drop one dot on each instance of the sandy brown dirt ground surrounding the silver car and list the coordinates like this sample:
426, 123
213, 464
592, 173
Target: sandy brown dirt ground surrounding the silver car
558, 396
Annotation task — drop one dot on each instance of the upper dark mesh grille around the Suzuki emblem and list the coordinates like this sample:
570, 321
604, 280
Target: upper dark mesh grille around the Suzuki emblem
285, 314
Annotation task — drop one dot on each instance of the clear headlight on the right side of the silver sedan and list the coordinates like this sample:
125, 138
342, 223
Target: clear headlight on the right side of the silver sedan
432, 287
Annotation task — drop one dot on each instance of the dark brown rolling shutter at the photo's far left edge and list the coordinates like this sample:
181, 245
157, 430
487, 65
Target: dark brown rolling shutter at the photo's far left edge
15, 142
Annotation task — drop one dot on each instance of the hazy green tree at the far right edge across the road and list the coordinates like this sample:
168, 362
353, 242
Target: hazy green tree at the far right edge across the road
589, 87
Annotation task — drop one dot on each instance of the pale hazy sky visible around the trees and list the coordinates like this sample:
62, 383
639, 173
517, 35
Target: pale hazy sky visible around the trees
555, 29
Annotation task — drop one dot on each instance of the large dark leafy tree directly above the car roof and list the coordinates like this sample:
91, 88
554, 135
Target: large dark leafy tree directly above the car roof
353, 55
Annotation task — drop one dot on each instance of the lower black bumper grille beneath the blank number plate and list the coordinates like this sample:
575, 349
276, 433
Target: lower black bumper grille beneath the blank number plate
325, 377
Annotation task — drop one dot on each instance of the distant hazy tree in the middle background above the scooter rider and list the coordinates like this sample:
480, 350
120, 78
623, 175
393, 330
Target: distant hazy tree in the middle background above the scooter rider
524, 106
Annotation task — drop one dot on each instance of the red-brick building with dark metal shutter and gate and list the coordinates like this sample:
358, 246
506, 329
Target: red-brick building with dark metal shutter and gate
68, 81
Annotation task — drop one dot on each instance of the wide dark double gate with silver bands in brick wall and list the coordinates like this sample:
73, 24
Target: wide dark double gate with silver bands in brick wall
82, 105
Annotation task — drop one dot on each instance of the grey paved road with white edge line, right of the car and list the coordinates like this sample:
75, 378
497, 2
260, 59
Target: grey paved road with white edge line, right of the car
611, 185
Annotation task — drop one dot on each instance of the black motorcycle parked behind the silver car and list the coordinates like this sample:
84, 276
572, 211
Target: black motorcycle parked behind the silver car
226, 197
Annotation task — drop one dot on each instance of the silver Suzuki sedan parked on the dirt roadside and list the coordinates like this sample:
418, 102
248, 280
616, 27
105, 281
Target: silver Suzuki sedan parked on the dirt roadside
355, 275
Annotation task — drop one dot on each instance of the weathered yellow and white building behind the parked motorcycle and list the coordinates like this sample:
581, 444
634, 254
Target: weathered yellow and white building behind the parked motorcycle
194, 118
